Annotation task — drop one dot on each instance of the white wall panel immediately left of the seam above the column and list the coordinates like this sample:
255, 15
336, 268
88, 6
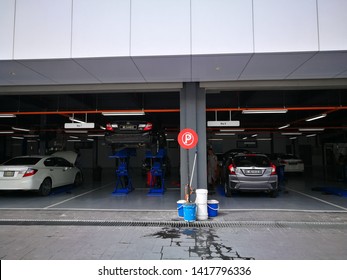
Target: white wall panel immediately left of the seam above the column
160, 27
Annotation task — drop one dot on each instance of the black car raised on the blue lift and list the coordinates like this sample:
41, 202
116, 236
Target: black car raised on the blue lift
134, 133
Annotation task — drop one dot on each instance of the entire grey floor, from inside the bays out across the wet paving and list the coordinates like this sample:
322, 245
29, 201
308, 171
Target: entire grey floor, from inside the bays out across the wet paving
301, 224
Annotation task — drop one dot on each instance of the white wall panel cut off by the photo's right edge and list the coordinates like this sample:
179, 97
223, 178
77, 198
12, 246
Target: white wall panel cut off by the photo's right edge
332, 18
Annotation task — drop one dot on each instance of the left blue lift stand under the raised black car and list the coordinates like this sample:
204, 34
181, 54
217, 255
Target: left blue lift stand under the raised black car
123, 182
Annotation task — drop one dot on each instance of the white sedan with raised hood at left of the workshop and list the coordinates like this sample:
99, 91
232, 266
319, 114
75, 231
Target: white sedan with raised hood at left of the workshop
40, 173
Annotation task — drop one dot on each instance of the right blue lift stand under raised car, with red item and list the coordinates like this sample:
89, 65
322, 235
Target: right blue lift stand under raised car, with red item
157, 179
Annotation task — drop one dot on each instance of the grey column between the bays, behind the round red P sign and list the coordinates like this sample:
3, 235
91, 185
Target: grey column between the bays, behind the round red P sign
193, 115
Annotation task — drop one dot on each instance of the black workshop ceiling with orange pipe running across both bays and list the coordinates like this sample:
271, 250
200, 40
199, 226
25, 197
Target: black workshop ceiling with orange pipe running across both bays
48, 112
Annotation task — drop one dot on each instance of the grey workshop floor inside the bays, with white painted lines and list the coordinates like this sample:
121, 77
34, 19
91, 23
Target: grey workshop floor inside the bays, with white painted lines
301, 196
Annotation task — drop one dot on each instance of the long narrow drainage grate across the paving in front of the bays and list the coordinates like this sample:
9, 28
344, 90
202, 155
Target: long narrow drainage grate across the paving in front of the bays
173, 224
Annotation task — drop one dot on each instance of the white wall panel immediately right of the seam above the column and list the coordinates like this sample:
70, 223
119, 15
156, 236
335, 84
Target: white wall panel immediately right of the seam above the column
222, 26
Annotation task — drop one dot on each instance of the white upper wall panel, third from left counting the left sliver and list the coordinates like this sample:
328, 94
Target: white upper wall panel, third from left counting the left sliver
101, 28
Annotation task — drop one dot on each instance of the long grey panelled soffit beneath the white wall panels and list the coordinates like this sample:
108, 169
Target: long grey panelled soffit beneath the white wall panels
159, 69
